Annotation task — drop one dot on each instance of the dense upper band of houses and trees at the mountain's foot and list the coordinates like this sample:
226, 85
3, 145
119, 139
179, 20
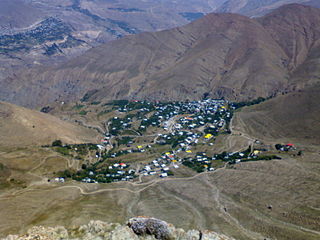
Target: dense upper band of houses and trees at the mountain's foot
203, 112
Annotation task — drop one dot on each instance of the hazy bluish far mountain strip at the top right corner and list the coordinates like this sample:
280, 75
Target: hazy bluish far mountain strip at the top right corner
254, 8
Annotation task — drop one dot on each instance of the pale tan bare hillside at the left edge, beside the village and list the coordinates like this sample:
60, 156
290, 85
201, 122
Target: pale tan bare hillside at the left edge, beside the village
23, 127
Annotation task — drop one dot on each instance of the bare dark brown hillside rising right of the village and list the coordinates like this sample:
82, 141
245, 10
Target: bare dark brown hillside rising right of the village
294, 116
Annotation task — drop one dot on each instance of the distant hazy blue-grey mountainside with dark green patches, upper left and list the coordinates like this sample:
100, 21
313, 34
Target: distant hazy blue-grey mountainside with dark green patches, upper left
48, 32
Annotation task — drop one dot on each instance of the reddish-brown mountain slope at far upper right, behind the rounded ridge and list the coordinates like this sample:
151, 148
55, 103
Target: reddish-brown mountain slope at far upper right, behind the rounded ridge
294, 28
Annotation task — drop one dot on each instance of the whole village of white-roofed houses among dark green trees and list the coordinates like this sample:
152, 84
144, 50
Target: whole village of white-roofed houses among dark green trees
157, 139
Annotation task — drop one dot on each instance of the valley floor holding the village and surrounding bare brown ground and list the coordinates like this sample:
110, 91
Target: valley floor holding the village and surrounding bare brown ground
144, 164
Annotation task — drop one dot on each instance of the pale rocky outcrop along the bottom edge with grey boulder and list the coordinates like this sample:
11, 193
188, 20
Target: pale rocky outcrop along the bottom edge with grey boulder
140, 228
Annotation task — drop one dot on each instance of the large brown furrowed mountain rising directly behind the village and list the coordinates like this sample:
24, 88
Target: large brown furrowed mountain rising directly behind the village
219, 55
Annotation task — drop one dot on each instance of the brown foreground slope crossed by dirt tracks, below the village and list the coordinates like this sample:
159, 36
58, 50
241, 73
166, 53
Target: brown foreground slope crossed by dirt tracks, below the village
234, 201
